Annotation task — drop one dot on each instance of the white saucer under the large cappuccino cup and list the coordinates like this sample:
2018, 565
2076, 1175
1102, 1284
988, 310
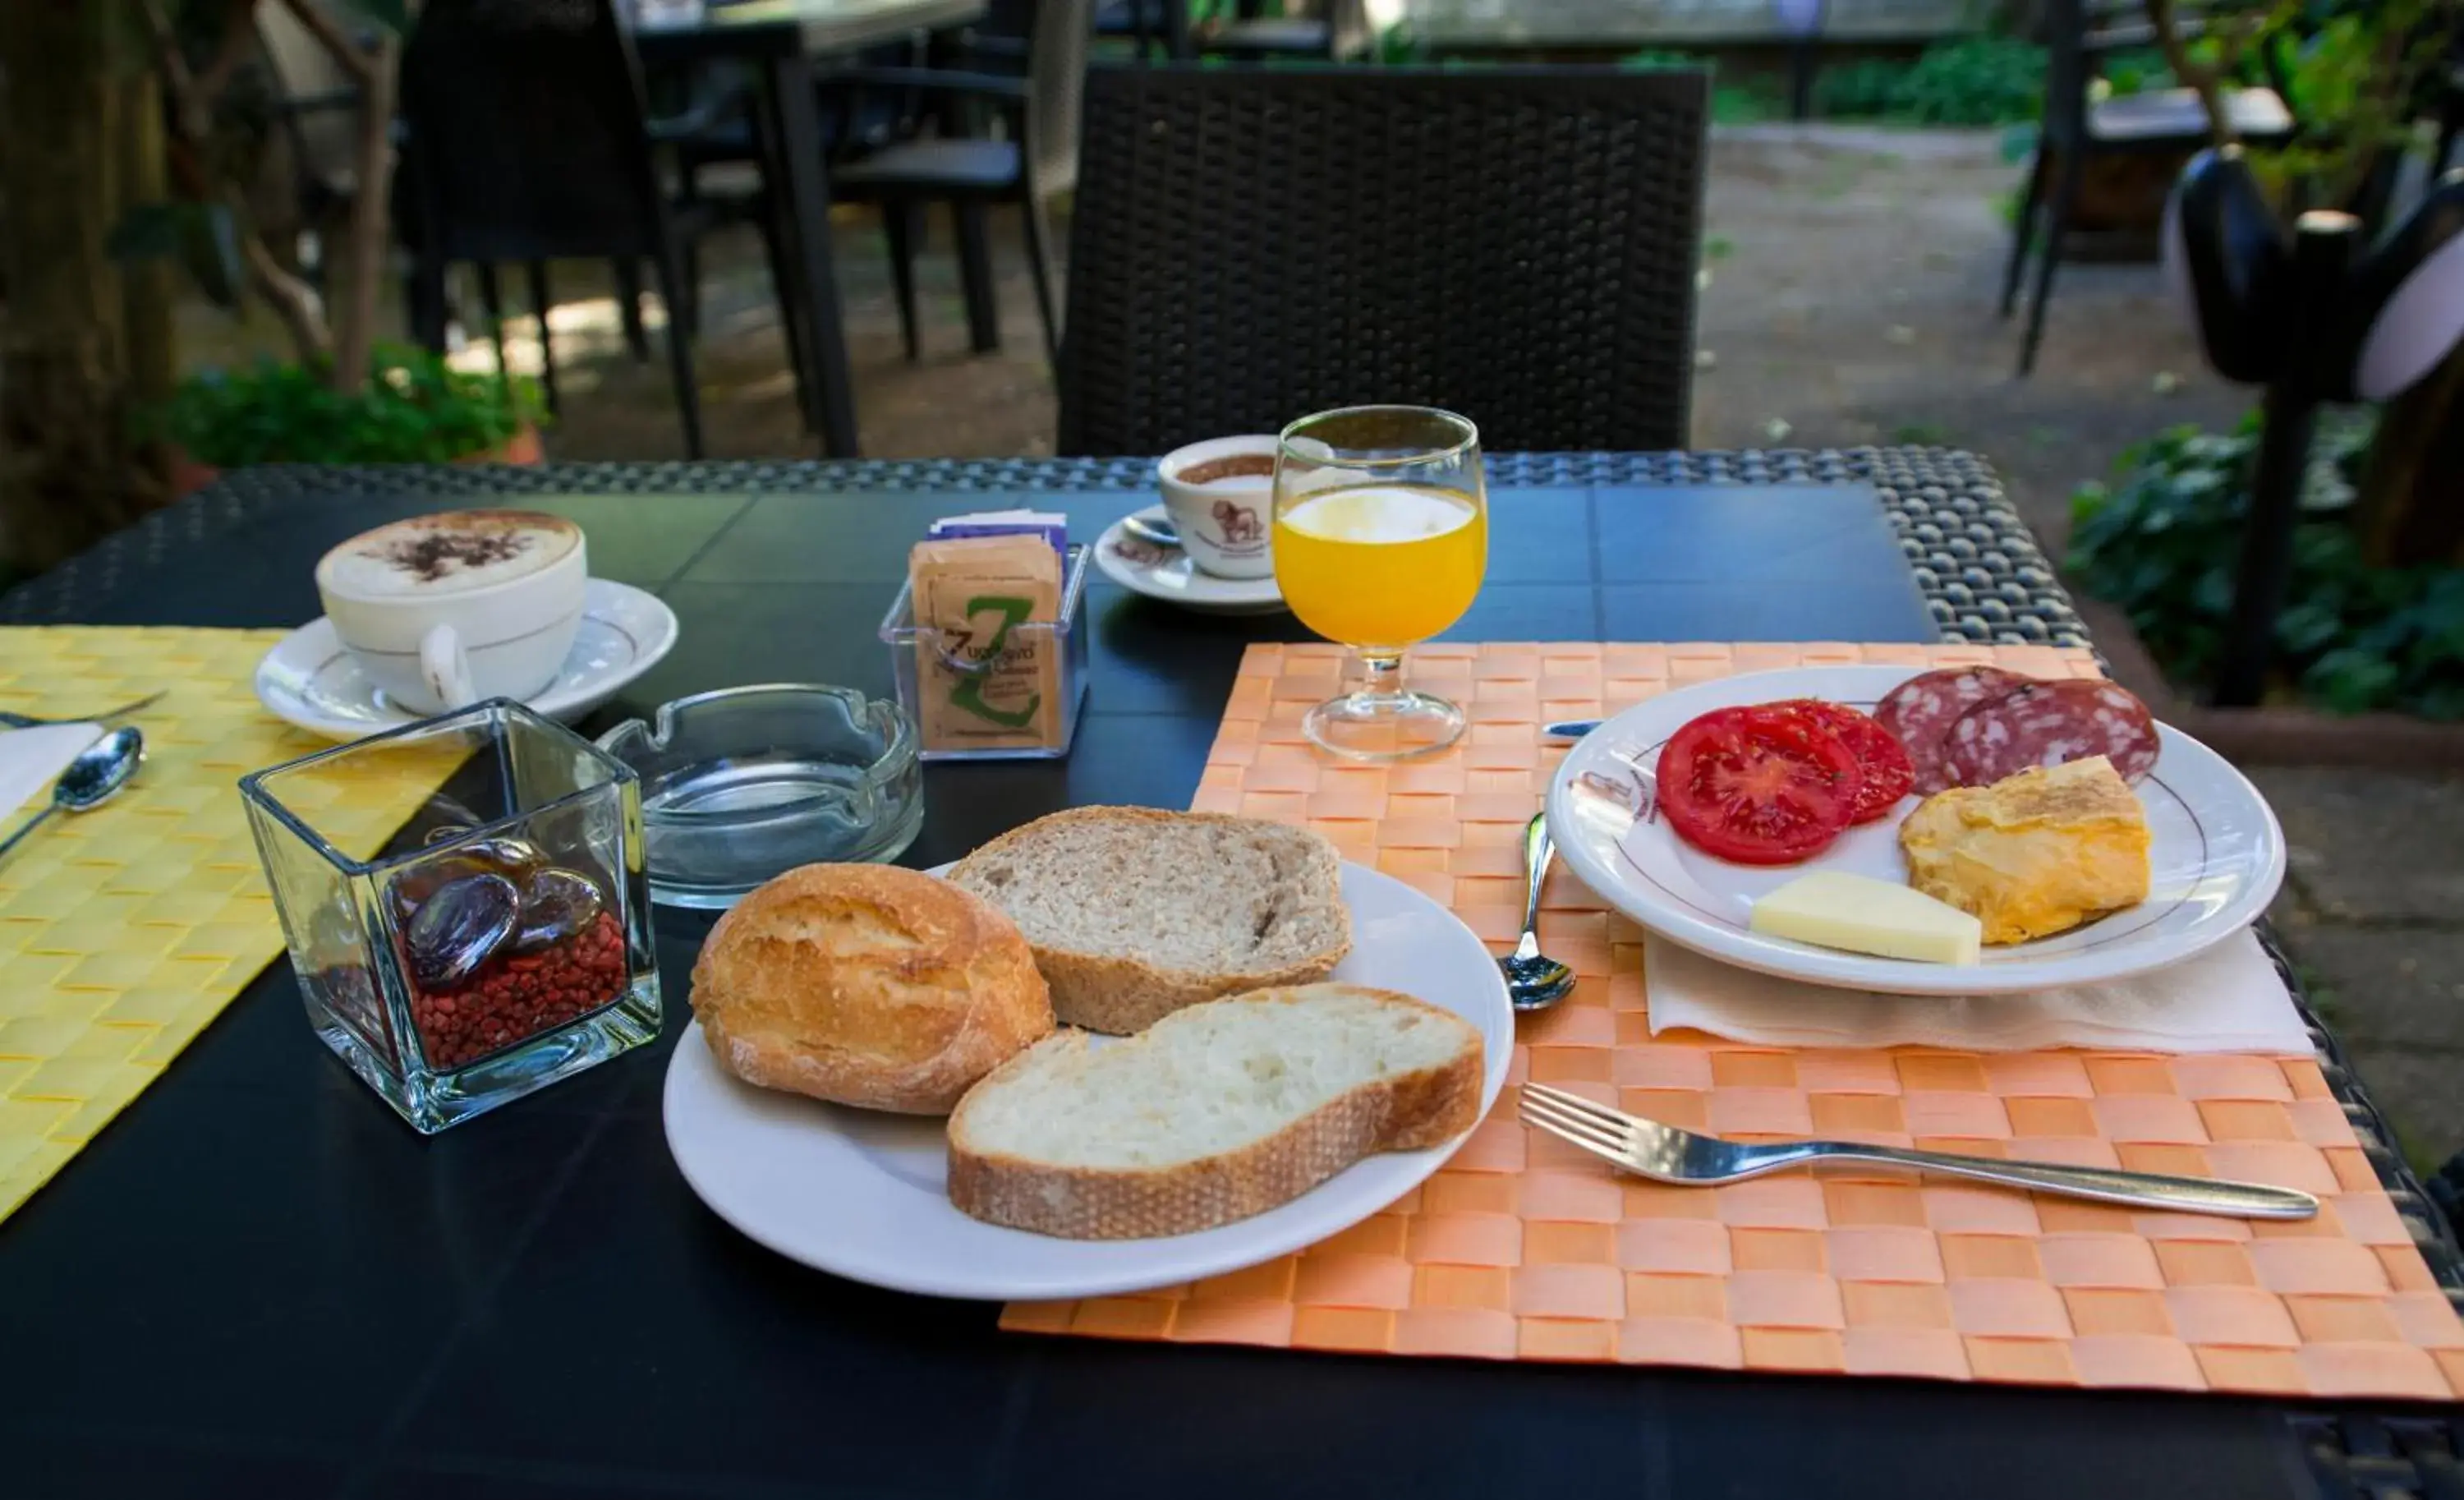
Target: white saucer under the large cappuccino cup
312, 681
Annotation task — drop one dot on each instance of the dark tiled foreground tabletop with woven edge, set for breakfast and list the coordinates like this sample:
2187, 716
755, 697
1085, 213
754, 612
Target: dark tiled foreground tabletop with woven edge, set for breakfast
260, 1282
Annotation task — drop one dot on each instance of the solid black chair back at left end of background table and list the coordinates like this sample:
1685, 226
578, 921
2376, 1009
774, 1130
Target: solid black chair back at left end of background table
529, 132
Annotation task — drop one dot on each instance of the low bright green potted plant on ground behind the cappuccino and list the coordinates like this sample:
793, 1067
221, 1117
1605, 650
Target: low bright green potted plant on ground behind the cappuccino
413, 410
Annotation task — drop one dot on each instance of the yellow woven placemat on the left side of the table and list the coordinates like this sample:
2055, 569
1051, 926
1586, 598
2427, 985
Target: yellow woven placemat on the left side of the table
127, 930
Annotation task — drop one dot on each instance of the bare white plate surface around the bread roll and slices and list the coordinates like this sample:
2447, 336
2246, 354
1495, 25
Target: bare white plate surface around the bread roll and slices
859, 1193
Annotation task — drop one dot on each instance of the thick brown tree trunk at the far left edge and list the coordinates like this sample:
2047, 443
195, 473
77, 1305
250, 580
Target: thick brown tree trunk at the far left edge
68, 469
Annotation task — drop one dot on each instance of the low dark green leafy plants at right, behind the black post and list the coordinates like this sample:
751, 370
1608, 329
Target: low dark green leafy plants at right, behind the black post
2165, 543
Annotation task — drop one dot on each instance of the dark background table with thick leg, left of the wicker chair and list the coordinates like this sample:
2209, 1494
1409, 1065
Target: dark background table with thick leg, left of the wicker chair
785, 41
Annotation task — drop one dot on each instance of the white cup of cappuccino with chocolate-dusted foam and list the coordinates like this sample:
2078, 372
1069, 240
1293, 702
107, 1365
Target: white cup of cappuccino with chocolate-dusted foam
452, 610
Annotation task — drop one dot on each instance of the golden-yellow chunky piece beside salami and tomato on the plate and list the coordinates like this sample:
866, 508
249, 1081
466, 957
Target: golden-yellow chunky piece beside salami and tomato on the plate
2034, 853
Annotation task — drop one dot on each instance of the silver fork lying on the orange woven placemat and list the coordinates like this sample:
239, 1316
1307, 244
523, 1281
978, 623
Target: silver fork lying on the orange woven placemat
1667, 1154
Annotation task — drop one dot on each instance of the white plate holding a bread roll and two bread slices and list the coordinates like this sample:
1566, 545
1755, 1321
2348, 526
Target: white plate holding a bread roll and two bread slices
1258, 1048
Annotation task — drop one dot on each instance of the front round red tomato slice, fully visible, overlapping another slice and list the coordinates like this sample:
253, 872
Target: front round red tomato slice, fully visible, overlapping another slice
1758, 784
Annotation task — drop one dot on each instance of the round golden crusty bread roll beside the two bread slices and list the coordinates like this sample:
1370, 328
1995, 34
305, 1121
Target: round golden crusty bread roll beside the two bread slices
871, 986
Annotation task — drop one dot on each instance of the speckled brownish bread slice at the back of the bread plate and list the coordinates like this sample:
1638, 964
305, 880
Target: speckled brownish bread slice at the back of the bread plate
1135, 913
